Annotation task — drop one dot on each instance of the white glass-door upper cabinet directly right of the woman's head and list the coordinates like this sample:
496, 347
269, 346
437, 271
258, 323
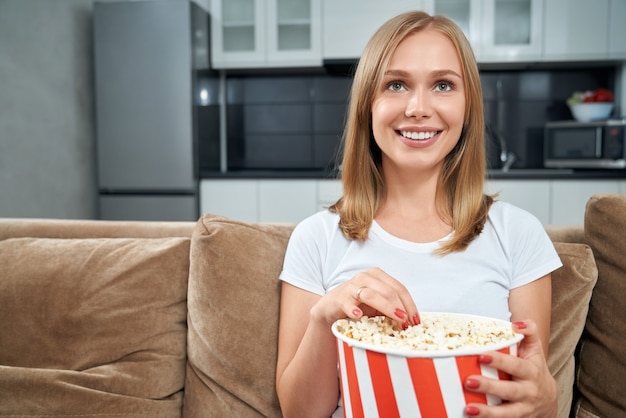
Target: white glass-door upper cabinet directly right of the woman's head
499, 30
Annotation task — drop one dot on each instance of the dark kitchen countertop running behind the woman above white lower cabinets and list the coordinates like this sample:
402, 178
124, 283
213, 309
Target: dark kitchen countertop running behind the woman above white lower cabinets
514, 173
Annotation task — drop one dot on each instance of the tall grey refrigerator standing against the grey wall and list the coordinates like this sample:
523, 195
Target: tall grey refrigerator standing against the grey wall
156, 108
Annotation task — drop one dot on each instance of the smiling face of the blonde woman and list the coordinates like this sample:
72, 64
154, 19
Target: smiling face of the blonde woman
417, 116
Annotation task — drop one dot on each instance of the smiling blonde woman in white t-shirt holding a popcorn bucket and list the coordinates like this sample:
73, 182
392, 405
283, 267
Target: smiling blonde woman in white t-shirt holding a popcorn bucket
414, 228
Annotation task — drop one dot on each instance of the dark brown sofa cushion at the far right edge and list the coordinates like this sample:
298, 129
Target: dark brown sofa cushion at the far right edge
602, 356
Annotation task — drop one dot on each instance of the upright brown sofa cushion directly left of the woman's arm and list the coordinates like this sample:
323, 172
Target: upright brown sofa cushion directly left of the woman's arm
233, 304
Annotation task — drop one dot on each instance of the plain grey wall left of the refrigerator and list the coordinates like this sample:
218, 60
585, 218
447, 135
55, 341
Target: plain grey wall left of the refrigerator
47, 127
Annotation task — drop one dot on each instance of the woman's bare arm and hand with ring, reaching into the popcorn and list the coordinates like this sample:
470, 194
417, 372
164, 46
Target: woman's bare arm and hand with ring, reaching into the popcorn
306, 372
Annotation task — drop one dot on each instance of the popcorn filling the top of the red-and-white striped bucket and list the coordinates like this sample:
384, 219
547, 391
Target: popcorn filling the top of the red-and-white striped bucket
436, 332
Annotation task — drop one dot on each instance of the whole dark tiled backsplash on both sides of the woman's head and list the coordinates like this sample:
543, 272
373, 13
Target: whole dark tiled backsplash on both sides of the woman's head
295, 122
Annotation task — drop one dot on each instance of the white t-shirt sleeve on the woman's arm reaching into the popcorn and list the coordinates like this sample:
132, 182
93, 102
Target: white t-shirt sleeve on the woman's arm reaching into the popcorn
302, 266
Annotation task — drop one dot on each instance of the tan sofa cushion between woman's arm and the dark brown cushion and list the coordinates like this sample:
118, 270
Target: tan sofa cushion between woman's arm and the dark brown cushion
572, 285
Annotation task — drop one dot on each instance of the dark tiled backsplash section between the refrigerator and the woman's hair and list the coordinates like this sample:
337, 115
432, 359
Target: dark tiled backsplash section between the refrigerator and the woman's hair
285, 122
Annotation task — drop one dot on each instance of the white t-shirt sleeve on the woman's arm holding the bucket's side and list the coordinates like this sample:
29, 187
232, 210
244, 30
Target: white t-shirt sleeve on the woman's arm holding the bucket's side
532, 252
